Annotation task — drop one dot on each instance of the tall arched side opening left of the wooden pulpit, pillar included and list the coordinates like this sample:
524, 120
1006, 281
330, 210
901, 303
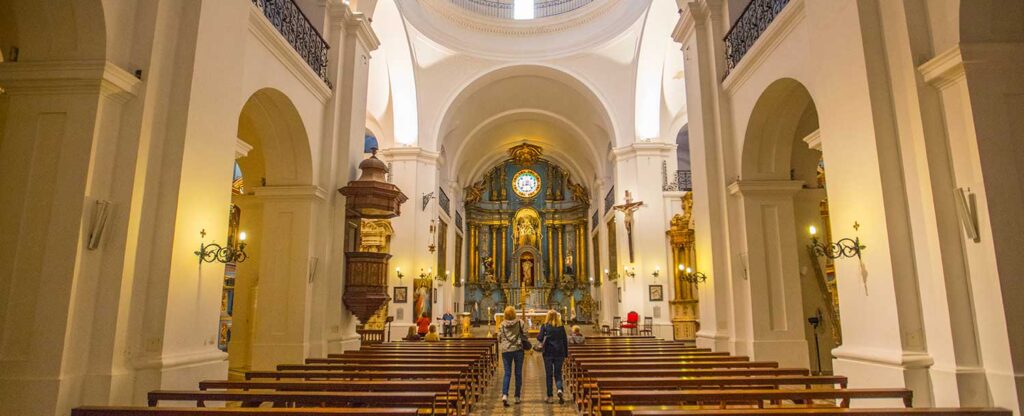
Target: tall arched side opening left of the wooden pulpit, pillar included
273, 203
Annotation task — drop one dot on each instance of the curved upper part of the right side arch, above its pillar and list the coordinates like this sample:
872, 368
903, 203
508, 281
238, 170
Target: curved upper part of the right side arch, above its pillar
786, 110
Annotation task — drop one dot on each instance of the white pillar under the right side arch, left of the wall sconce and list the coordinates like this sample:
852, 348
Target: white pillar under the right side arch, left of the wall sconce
769, 306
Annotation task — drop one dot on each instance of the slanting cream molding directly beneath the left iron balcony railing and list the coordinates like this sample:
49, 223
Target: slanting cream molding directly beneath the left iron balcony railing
279, 47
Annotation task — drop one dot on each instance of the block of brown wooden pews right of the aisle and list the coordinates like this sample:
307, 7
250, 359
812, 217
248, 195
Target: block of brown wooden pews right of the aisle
648, 377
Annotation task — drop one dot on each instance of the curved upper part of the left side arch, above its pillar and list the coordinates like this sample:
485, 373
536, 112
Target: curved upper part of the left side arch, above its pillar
281, 155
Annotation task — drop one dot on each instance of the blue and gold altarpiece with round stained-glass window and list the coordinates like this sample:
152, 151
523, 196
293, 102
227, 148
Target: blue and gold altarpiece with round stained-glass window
527, 224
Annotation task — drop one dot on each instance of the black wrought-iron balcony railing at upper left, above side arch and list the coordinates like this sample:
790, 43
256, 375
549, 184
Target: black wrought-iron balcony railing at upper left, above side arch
295, 27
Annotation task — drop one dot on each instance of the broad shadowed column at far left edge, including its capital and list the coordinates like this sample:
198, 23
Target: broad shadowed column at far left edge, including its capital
61, 152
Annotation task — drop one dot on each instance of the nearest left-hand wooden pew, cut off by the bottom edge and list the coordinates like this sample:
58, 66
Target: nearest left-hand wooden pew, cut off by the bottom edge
142, 411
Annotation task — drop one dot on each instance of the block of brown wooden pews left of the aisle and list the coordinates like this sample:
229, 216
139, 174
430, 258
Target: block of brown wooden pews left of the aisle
398, 379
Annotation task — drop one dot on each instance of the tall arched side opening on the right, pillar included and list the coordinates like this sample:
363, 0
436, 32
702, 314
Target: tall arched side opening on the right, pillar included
792, 290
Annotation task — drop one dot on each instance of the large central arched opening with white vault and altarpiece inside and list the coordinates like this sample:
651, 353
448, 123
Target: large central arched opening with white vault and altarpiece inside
549, 124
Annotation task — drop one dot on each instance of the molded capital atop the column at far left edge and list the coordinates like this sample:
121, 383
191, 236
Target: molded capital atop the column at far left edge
63, 77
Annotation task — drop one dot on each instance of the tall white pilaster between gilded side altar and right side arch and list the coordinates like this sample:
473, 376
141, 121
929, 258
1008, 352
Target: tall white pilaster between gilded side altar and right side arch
700, 30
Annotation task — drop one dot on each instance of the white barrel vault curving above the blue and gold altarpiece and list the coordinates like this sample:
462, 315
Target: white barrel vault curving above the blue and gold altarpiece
540, 105
